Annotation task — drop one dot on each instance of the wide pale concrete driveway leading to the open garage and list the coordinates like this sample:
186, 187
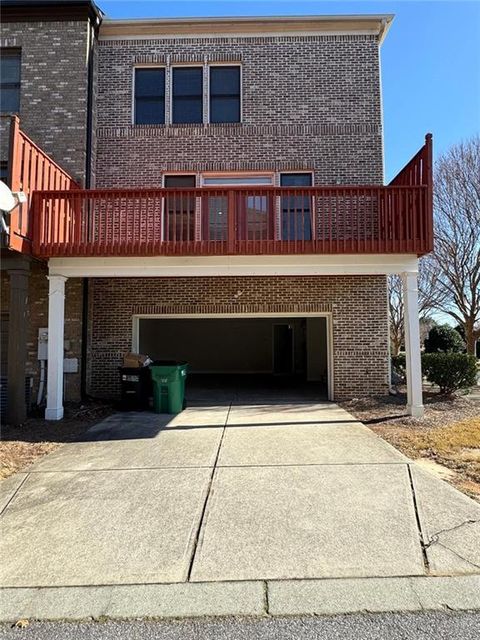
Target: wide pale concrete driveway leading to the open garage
243, 491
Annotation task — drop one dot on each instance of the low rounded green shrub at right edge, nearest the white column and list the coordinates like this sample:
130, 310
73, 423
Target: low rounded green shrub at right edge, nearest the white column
450, 371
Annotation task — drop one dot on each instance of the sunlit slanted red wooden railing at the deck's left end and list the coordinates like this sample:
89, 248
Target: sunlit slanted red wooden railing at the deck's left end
30, 170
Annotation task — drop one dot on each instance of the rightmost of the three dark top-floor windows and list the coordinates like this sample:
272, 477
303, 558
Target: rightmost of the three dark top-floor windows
225, 94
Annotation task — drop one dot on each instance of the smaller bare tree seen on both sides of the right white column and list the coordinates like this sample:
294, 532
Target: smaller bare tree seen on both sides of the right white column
429, 299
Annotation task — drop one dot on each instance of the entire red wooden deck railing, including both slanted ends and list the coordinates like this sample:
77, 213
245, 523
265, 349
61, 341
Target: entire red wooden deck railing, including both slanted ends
67, 221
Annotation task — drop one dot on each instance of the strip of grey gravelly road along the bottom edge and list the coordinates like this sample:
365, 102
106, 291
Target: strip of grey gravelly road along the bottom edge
417, 626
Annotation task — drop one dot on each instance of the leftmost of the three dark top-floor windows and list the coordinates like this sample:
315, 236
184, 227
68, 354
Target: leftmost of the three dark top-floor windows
150, 95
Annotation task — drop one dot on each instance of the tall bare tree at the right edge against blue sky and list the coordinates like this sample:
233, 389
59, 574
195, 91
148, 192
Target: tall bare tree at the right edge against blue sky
457, 236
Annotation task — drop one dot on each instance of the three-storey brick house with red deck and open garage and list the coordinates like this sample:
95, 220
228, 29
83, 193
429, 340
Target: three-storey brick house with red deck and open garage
238, 219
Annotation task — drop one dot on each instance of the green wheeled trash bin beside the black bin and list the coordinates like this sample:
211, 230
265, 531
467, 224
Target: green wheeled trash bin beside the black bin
168, 379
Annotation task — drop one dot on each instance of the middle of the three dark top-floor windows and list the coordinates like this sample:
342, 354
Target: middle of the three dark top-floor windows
187, 95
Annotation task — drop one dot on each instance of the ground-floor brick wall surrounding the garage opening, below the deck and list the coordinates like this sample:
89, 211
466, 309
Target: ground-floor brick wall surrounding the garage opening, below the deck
357, 303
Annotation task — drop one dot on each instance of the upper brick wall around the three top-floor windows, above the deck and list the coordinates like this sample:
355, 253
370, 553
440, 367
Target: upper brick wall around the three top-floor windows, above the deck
308, 103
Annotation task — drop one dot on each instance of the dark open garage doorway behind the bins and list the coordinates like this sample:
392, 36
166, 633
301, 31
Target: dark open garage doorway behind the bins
261, 353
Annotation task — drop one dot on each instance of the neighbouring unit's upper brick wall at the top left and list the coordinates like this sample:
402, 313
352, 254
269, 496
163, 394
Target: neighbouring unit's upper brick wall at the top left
53, 91
